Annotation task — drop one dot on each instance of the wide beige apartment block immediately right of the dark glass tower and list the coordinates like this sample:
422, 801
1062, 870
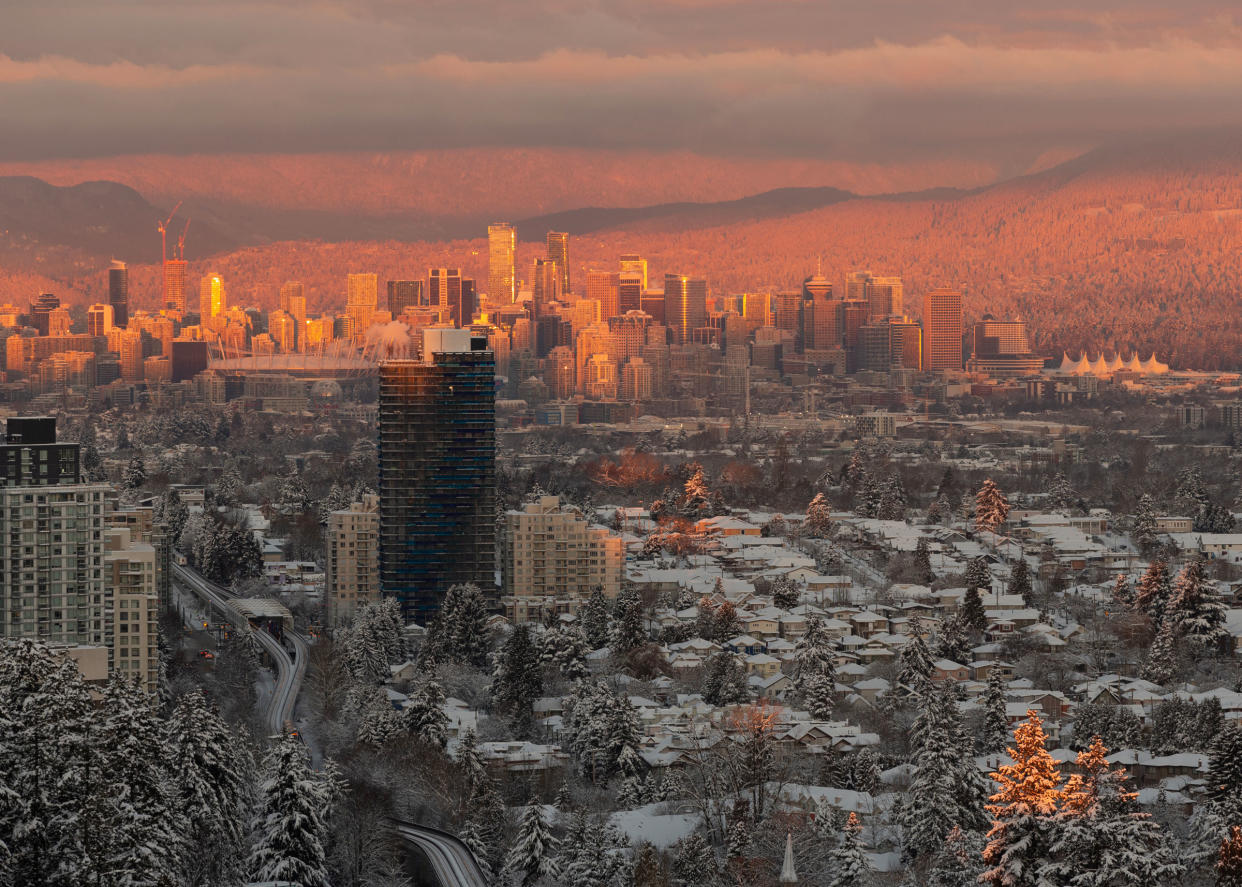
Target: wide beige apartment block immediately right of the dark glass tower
556, 560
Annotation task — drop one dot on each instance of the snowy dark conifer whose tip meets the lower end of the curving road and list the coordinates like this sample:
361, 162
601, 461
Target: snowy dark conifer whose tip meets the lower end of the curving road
290, 830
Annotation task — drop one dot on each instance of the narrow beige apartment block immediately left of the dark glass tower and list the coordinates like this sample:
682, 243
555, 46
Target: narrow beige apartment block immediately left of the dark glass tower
352, 573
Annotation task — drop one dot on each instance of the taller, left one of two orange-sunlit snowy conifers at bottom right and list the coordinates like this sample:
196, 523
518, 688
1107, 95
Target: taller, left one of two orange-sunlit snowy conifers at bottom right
1022, 811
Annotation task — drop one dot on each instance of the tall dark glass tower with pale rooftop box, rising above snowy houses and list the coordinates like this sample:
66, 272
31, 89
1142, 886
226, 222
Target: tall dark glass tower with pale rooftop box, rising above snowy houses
438, 471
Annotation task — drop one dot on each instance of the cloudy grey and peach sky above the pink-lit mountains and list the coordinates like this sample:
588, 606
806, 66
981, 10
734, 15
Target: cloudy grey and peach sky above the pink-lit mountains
850, 80
